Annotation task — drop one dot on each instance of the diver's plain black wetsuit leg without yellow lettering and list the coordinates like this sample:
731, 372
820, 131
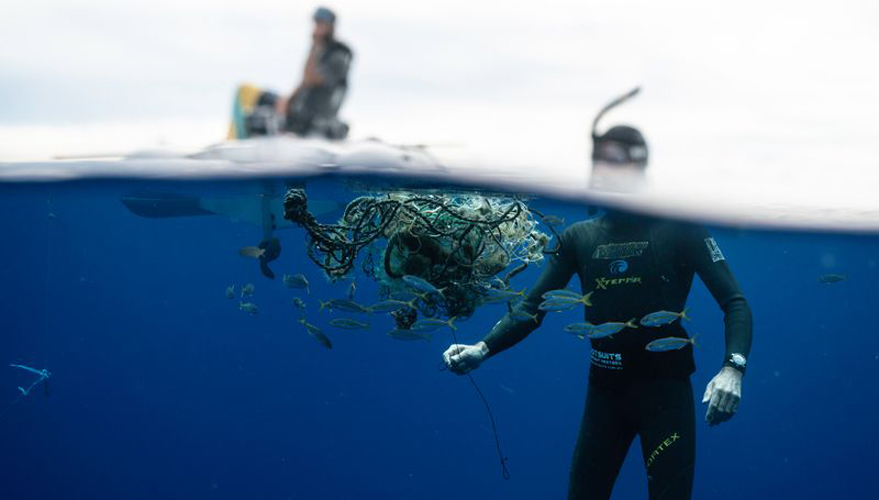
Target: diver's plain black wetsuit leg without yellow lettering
604, 439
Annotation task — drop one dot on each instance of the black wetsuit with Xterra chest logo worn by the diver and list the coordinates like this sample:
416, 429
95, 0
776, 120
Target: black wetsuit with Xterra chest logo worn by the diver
635, 266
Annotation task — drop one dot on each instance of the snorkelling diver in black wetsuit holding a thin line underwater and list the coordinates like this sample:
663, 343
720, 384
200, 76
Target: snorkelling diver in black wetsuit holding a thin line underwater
635, 275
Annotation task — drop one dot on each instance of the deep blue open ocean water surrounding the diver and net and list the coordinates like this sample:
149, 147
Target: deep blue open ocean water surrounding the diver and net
162, 388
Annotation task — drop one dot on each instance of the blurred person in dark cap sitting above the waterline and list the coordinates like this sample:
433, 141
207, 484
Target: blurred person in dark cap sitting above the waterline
313, 106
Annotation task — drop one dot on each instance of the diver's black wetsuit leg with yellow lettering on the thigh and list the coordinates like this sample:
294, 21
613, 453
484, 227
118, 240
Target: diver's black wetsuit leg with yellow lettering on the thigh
668, 437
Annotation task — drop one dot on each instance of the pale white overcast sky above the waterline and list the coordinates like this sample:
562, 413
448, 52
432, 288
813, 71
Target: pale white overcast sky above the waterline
770, 94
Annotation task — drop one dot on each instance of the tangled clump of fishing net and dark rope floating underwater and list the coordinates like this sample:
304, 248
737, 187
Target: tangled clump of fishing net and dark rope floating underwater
457, 242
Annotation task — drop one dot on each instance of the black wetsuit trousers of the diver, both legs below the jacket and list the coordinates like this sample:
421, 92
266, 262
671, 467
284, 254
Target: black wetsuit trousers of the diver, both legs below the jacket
661, 412
